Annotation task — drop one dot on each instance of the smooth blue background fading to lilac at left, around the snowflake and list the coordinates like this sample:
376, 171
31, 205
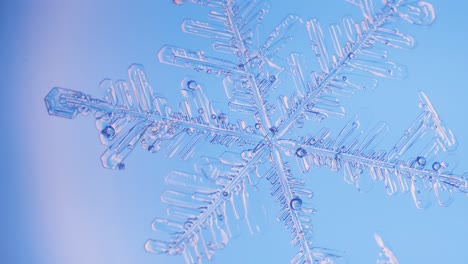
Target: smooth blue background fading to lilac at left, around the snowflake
60, 206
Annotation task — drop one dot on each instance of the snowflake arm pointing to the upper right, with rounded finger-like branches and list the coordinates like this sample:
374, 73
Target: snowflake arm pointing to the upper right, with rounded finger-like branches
359, 51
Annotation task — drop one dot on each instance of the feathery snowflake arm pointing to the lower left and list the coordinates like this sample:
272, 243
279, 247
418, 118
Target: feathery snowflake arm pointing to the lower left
205, 207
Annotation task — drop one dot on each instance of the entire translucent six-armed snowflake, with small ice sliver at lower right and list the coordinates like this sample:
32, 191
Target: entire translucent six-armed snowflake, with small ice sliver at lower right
278, 95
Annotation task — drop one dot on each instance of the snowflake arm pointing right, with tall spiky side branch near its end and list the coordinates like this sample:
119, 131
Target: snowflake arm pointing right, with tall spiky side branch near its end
420, 161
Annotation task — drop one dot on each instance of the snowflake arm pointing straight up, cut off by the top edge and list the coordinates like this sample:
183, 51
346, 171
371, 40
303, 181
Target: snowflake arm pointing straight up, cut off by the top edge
248, 80
